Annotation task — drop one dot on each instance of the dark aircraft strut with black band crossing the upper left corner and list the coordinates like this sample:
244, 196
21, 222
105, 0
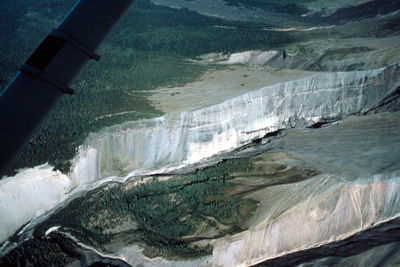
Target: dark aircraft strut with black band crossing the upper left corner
49, 71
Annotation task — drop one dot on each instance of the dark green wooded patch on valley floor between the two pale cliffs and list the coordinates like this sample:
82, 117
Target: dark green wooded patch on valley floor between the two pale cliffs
167, 217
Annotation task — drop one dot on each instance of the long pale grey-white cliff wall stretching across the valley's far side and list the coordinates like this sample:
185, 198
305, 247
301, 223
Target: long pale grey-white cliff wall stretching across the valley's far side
181, 139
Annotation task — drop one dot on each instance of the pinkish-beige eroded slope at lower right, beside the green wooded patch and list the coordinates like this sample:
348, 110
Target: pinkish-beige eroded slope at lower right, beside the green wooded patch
312, 213
